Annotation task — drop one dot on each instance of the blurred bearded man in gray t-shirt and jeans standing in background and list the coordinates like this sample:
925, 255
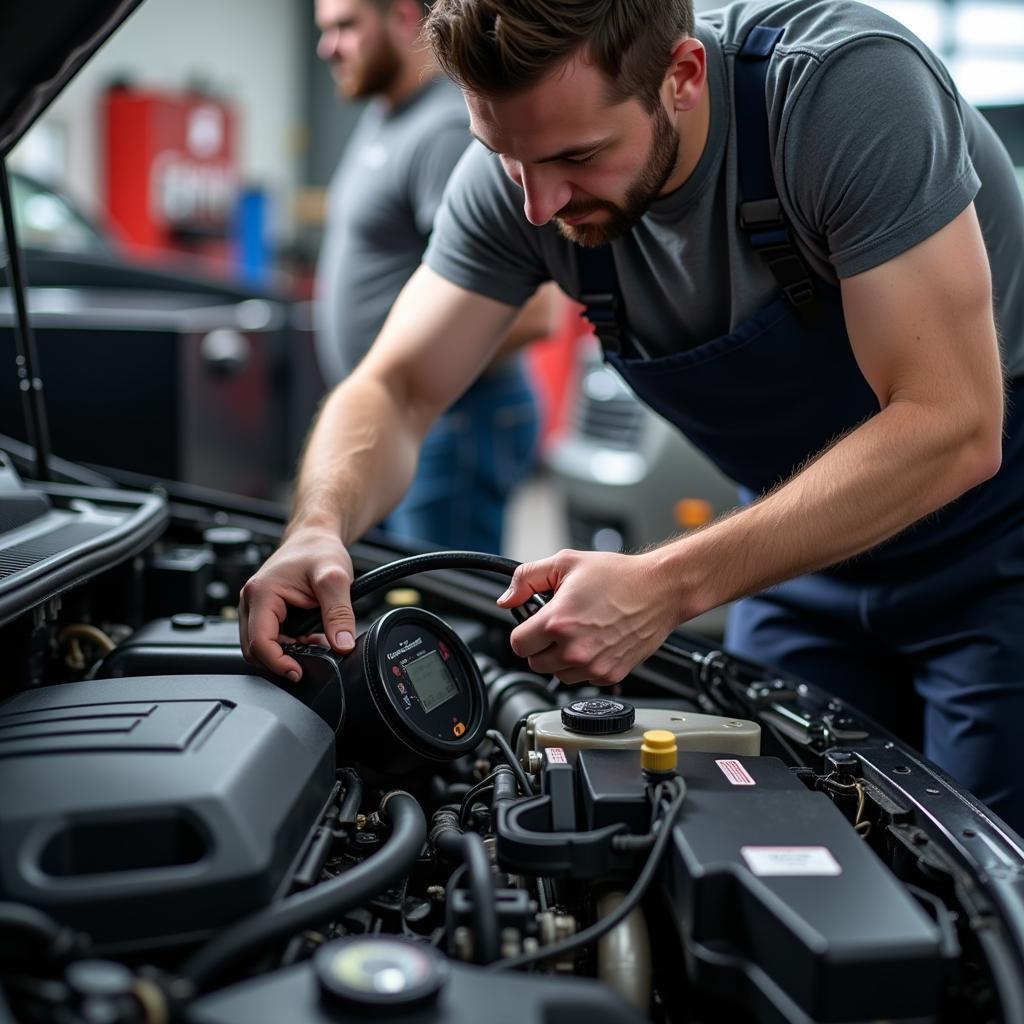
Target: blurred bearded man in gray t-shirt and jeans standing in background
382, 203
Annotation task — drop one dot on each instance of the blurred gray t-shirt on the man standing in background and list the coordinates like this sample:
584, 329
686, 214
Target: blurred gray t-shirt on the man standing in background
381, 207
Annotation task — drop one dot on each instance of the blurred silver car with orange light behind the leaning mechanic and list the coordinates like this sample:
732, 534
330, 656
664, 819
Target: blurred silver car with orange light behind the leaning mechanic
630, 479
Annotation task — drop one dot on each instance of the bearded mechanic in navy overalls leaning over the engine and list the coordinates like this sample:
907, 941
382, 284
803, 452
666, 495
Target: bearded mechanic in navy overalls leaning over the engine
789, 229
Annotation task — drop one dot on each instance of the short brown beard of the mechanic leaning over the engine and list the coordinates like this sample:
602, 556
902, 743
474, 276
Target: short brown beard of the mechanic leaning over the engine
643, 192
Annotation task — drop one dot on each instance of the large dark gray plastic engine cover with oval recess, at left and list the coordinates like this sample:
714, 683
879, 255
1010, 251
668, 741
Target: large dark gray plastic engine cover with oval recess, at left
151, 812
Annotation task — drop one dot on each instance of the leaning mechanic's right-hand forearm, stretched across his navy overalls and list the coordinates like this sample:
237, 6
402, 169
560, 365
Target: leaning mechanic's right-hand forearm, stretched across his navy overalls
891, 472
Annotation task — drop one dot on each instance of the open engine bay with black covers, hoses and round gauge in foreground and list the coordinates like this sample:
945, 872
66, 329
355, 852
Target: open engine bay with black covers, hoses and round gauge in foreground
428, 829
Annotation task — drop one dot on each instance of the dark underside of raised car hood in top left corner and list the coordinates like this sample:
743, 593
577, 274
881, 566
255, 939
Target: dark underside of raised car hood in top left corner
42, 48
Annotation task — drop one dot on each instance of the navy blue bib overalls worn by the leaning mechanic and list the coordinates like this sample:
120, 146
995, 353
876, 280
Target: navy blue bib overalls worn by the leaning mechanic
936, 614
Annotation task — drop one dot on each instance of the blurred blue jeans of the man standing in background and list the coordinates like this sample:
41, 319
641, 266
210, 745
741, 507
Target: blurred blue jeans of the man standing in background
471, 462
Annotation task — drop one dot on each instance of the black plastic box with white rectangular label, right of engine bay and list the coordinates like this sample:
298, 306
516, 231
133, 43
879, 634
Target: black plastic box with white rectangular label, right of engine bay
782, 905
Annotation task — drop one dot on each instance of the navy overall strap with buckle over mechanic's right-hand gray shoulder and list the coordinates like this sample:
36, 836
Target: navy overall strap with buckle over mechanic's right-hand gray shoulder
761, 216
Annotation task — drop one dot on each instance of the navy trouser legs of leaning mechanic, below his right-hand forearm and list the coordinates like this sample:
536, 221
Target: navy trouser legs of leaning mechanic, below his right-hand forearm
936, 656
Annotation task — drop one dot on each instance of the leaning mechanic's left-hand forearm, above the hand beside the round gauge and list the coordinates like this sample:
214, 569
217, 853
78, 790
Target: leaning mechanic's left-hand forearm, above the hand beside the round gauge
359, 461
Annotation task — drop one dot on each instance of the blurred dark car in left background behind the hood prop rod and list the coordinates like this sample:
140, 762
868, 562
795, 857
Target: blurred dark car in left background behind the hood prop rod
219, 381
